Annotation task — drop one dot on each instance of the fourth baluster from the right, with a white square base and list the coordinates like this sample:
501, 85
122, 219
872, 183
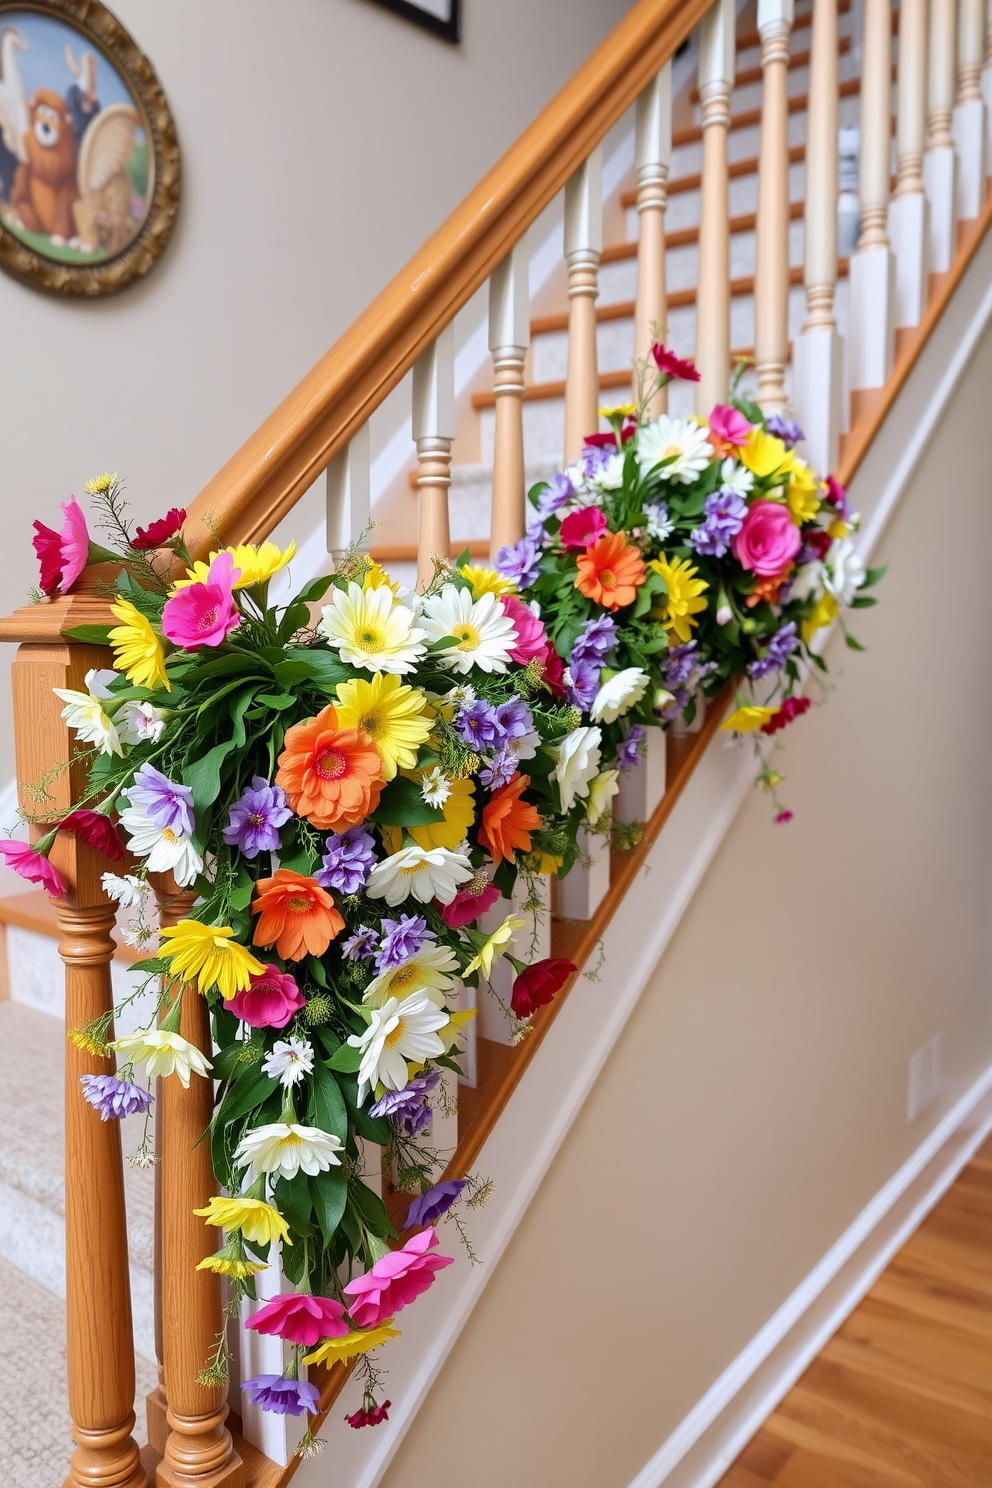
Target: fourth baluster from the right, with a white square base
872, 347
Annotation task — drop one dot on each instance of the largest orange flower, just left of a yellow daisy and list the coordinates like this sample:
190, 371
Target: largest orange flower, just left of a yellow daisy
331, 776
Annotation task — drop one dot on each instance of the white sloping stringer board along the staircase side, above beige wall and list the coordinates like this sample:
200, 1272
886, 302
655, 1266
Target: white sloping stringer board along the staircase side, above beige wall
560, 1078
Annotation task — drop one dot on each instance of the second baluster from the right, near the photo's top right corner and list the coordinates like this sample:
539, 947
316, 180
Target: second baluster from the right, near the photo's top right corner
941, 166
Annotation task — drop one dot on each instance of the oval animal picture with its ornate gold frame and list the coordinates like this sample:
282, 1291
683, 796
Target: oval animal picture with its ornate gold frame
90, 167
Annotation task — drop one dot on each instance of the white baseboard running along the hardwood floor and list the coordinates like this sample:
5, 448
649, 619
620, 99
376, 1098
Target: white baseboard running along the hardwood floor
719, 1428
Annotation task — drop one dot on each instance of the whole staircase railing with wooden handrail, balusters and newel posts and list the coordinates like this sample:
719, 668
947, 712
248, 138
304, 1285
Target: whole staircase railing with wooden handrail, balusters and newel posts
902, 276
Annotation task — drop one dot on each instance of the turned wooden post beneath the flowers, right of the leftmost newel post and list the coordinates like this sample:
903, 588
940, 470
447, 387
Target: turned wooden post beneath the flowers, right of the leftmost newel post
200, 1450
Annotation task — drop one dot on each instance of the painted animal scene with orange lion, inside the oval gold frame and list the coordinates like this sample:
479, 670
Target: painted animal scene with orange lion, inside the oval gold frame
75, 167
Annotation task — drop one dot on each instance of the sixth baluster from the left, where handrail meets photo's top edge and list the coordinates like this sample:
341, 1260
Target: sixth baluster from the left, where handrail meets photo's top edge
713, 292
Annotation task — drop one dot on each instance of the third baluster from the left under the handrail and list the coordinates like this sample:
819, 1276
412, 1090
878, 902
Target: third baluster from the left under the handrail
509, 339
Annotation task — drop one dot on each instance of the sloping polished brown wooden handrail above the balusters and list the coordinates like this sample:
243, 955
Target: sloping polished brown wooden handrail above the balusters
286, 455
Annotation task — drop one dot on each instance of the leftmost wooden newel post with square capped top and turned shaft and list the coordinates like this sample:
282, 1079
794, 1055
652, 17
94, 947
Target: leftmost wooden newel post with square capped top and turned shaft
100, 1344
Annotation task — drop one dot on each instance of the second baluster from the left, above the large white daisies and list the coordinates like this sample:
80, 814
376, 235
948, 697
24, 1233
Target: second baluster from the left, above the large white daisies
435, 434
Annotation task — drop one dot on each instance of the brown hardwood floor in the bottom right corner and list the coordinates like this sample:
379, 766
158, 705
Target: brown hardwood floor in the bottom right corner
902, 1395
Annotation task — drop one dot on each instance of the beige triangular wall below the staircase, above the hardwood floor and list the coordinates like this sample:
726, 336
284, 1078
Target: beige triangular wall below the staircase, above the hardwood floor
756, 1100
